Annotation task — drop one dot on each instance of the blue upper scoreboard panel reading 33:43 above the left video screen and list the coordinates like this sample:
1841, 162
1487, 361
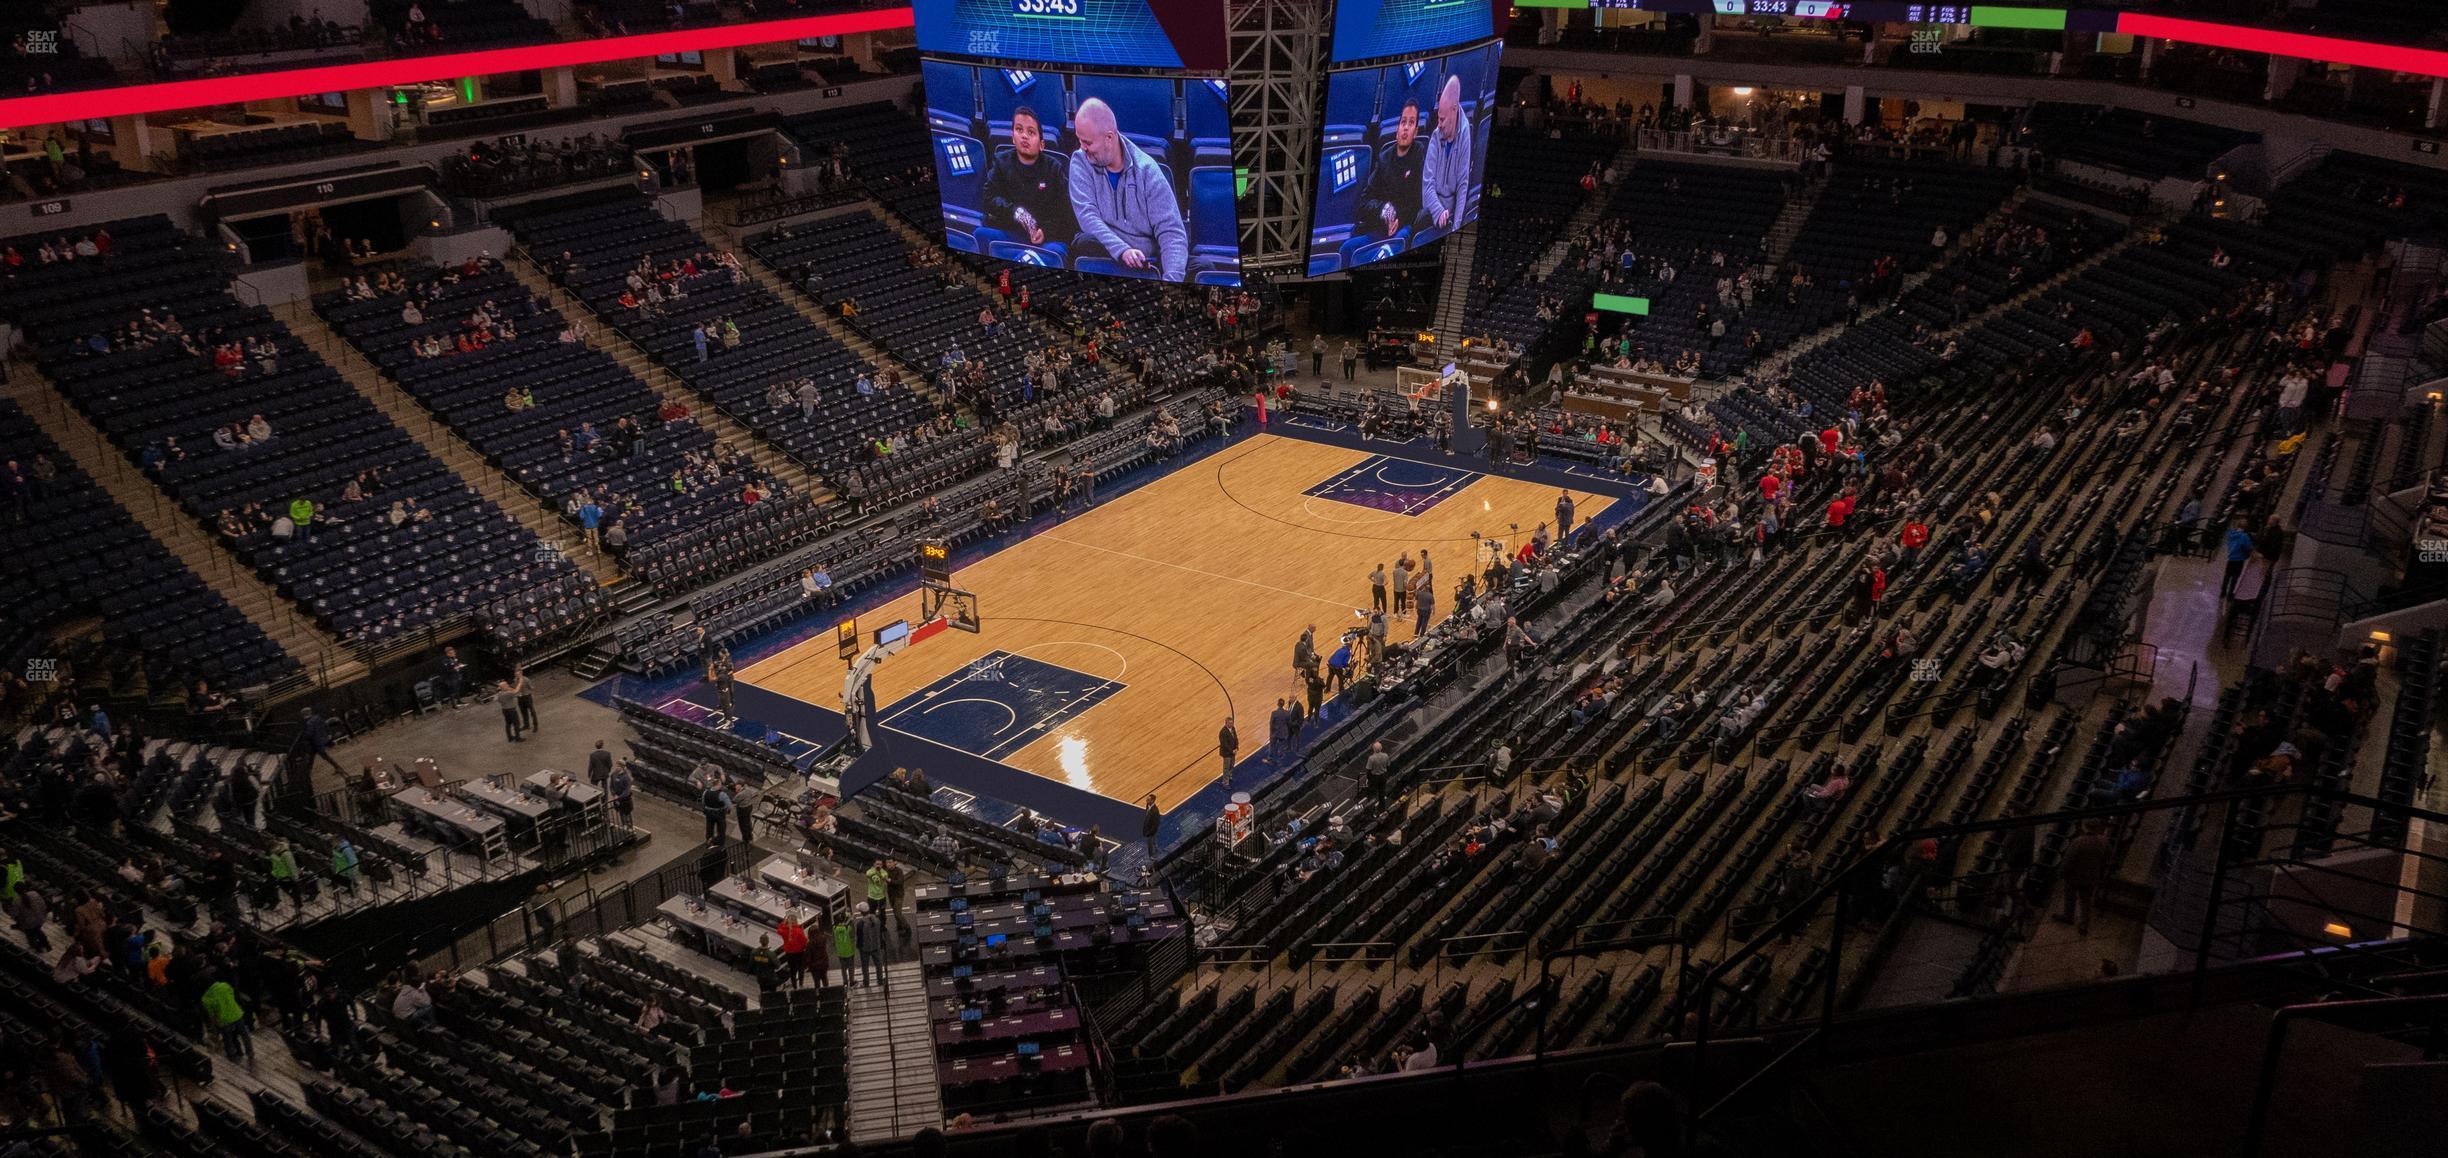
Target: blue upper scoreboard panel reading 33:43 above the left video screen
1088, 33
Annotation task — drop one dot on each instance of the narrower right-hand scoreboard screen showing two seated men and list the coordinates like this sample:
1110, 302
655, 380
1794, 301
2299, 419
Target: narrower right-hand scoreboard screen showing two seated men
1404, 158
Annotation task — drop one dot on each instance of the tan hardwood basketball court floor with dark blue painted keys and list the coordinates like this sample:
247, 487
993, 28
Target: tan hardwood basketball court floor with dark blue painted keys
1189, 594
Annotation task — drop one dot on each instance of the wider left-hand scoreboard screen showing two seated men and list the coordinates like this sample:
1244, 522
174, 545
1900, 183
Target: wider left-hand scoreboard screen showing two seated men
1103, 175
